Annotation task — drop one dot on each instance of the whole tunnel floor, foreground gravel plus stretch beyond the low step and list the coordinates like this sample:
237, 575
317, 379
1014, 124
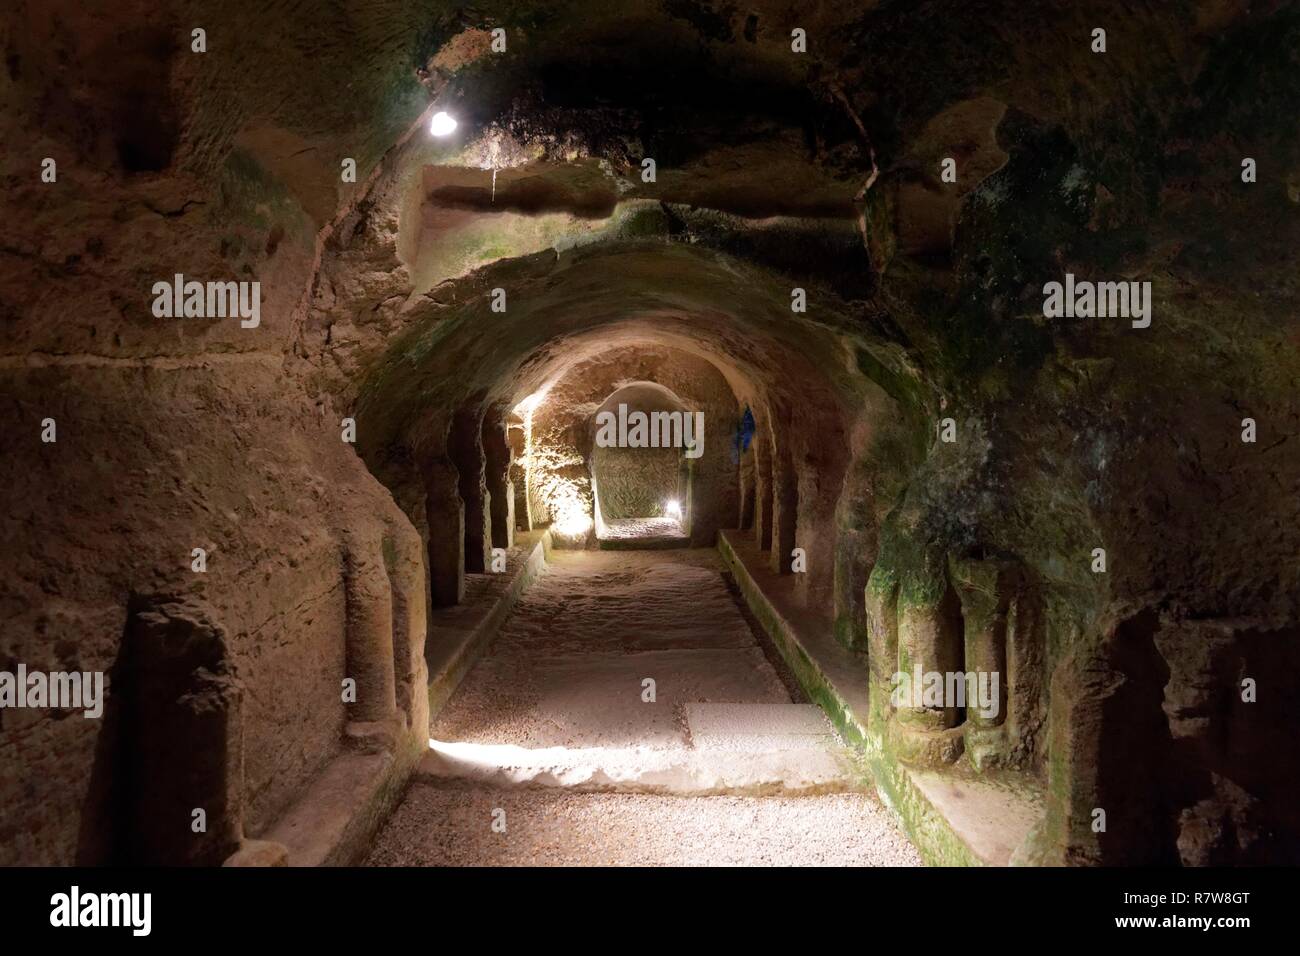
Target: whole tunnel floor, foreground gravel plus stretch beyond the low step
566, 672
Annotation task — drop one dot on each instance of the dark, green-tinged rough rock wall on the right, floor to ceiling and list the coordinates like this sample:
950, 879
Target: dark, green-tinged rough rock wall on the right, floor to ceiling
1081, 435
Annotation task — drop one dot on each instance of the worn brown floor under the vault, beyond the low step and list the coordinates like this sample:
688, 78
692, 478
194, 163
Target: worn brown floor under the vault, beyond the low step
569, 665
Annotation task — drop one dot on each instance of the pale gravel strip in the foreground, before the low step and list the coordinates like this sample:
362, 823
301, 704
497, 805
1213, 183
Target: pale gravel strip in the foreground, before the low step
452, 827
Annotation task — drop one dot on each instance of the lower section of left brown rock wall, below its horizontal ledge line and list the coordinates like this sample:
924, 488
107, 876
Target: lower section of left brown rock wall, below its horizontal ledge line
111, 513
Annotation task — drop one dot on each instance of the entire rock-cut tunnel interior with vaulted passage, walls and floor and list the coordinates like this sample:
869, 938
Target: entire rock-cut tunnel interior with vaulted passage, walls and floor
635, 434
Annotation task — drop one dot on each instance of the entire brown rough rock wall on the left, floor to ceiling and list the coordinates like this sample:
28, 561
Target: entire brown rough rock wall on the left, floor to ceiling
174, 434
